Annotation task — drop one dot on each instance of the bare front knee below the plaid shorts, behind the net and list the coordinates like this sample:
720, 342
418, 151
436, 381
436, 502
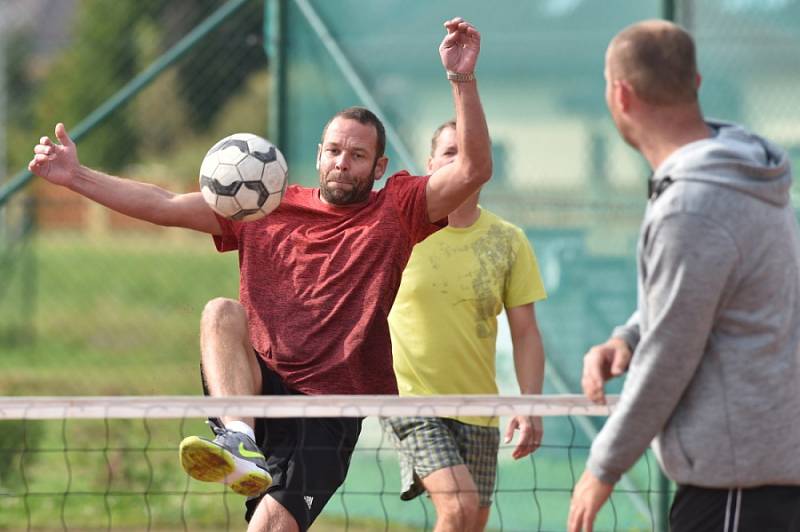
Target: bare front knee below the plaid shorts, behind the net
455, 497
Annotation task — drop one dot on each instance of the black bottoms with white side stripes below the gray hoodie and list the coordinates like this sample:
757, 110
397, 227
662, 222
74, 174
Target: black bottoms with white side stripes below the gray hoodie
760, 509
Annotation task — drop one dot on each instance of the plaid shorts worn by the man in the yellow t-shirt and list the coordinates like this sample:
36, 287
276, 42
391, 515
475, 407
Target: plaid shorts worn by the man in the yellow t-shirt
427, 444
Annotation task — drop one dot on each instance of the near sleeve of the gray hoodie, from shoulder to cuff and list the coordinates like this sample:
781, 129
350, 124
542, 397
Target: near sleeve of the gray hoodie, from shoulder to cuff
686, 260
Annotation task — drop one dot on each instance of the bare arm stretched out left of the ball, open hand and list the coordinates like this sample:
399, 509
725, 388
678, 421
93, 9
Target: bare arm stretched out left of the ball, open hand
58, 164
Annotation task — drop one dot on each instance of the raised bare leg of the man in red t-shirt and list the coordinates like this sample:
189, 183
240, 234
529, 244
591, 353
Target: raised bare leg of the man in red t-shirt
229, 360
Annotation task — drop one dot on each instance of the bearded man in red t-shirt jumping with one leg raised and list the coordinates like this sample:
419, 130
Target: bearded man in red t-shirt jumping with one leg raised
318, 278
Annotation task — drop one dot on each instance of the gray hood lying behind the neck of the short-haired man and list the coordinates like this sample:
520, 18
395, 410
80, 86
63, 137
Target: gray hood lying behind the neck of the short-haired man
734, 158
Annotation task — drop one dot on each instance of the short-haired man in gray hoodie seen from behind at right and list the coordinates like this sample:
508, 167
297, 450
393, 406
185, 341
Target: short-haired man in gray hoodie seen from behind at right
714, 345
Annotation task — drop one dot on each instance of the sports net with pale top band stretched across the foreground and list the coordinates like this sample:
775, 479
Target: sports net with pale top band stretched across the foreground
111, 463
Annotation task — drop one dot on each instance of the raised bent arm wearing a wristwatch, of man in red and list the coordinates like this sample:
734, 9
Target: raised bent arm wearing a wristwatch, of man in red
450, 185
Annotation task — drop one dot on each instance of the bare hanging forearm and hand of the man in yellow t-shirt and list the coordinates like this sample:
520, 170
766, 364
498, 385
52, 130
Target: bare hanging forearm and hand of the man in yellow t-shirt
529, 366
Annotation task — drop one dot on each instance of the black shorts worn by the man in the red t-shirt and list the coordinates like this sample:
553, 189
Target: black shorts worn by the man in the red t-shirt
308, 458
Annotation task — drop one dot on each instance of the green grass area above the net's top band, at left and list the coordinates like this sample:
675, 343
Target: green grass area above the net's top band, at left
114, 316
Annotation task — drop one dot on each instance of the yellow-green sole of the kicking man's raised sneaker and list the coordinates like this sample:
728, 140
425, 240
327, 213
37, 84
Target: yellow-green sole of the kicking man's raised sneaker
208, 462
